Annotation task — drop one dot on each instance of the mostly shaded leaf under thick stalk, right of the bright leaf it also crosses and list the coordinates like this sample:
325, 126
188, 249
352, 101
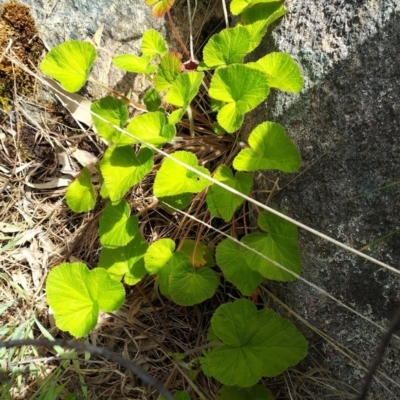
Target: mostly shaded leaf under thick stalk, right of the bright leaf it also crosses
221, 203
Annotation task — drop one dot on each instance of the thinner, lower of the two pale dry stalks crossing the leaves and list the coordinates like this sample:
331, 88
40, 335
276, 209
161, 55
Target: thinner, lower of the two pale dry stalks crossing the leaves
284, 269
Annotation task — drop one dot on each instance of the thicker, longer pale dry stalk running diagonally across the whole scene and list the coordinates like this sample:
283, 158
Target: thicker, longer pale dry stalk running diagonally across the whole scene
226, 187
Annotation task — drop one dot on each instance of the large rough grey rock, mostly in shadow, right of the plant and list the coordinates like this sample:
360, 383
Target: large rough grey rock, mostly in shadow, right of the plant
346, 125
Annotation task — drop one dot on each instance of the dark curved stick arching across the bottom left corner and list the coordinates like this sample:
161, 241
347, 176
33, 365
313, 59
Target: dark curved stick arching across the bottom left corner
143, 375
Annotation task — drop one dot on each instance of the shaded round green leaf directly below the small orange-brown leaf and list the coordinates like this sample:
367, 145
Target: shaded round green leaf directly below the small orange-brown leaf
189, 285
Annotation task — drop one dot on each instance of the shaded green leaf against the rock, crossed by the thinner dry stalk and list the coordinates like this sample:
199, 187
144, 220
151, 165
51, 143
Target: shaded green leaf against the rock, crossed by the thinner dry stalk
279, 245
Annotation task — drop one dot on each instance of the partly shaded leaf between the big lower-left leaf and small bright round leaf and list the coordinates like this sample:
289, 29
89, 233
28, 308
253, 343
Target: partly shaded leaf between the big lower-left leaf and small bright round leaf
127, 261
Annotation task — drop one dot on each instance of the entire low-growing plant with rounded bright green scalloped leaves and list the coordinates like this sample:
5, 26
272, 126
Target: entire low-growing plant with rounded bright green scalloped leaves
248, 344
